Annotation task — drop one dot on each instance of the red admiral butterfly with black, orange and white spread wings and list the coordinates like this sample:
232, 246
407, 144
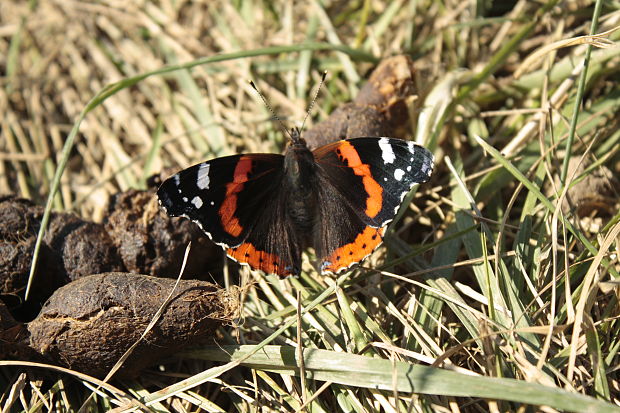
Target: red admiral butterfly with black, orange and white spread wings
265, 209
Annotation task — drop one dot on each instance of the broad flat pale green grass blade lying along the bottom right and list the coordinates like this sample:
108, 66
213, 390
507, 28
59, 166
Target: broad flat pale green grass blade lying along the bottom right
374, 373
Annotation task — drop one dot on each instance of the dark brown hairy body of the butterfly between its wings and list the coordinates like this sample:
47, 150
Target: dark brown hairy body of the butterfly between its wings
300, 178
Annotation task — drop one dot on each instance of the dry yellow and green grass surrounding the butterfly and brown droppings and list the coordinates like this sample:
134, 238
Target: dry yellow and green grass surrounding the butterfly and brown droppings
510, 297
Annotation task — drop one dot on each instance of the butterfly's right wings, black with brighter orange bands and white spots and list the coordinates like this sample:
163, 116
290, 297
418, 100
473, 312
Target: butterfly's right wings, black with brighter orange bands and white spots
368, 178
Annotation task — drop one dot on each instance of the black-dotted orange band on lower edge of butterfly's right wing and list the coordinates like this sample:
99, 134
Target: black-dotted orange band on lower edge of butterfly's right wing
360, 248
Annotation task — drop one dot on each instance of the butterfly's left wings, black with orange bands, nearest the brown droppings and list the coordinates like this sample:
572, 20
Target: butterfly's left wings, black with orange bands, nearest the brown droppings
237, 202
